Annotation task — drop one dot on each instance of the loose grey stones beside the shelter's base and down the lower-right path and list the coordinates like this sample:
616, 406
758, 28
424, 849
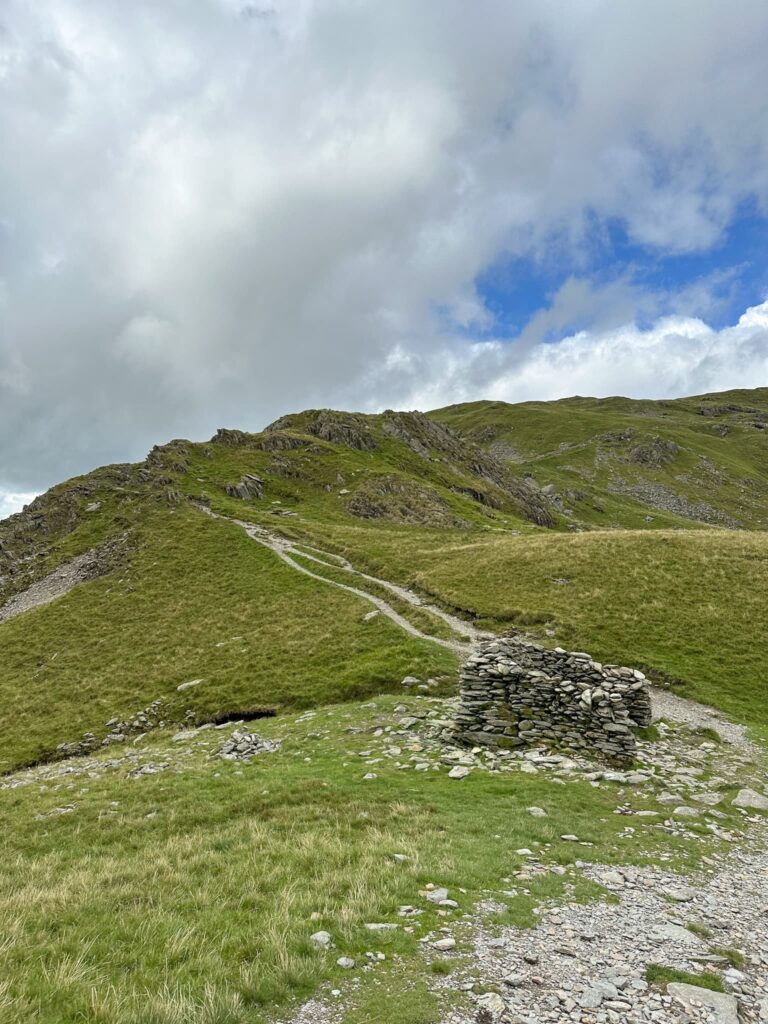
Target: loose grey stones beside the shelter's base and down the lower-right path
589, 964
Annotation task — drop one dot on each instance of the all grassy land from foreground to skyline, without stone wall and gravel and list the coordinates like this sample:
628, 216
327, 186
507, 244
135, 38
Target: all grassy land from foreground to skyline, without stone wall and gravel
157, 883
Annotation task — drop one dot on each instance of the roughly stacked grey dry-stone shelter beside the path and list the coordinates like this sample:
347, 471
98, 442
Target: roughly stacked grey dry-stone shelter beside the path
517, 694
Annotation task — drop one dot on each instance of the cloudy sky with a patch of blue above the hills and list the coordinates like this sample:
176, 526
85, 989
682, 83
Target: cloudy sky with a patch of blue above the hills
215, 212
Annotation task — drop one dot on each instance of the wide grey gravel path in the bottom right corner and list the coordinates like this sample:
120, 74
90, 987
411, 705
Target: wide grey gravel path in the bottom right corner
588, 964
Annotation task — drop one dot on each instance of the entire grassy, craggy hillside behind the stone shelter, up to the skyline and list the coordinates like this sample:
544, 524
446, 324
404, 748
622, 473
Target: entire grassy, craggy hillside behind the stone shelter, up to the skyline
183, 596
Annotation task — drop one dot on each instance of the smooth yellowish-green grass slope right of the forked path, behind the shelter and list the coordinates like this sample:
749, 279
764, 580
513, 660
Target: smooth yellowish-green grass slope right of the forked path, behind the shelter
686, 606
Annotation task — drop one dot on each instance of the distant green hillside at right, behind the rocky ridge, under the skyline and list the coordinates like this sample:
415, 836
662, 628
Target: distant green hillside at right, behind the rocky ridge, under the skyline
614, 462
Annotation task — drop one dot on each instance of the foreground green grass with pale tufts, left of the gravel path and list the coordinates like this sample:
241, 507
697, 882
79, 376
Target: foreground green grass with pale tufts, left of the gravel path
191, 895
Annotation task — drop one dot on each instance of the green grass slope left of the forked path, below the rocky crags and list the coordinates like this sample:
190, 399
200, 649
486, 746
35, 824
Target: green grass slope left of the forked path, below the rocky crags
198, 600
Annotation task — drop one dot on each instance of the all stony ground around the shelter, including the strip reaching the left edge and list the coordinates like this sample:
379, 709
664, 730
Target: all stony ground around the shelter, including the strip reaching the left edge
583, 963
